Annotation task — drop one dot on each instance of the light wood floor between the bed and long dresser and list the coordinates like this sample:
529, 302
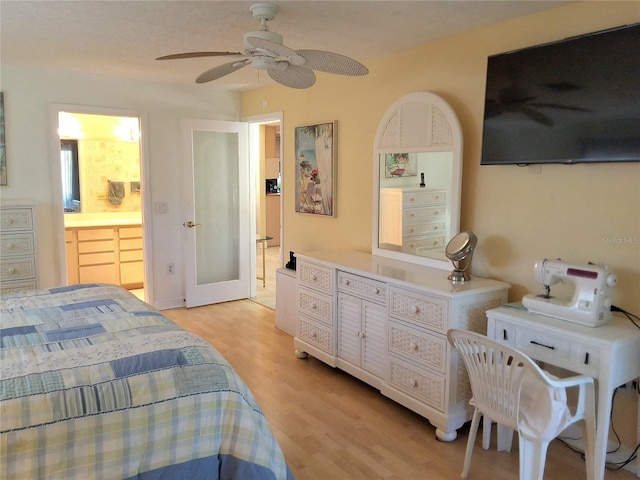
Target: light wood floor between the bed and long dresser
333, 427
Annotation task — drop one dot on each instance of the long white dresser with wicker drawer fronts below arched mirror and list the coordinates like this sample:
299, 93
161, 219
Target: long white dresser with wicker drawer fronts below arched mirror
385, 322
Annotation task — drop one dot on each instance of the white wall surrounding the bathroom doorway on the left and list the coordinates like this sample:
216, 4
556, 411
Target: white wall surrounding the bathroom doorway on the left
30, 96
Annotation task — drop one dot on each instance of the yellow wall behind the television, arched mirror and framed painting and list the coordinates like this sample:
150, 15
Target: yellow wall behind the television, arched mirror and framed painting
578, 213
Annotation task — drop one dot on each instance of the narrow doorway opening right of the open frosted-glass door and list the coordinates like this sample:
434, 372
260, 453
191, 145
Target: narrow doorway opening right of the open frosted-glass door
266, 159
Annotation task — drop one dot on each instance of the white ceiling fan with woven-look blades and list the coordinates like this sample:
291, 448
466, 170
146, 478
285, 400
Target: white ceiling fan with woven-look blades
264, 50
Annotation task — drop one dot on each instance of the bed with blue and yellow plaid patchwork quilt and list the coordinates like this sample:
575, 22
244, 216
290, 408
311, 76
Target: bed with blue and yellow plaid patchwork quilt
96, 384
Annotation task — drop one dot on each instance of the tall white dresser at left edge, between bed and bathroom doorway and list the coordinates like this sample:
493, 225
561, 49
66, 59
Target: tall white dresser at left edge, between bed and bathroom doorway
17, 247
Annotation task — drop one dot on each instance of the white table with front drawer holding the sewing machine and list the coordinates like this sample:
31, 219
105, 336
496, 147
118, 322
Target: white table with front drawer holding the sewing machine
610, 354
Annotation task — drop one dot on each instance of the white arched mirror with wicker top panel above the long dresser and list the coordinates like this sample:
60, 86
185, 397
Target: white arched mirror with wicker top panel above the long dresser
417, 180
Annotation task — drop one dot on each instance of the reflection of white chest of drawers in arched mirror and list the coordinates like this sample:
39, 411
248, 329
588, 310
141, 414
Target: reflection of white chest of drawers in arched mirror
414, 220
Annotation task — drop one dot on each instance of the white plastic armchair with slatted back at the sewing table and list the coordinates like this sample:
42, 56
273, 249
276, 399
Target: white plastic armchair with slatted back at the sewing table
512, 390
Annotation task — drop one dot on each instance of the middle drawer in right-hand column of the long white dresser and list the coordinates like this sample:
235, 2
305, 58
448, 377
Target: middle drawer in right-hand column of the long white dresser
419, 347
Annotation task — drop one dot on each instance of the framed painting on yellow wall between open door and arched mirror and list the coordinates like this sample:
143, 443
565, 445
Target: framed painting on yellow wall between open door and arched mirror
315, 150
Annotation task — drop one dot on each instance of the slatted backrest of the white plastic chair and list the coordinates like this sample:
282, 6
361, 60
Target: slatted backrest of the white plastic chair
496, 373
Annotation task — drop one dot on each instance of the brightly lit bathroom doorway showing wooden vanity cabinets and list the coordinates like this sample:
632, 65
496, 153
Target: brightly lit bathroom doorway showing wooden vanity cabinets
100, 164
